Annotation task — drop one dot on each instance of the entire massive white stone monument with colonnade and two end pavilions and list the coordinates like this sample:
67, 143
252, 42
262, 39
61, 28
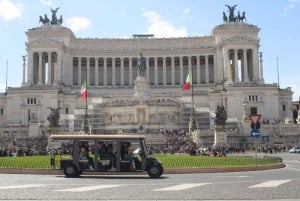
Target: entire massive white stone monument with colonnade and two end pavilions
227, 70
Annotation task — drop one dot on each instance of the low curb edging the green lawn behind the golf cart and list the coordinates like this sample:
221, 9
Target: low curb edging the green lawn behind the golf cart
166, 171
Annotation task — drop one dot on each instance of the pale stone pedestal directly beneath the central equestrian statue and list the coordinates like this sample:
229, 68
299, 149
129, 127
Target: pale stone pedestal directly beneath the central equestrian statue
141, 88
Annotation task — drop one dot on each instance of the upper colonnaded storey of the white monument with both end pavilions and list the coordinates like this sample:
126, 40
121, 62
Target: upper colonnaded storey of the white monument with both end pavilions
168, 60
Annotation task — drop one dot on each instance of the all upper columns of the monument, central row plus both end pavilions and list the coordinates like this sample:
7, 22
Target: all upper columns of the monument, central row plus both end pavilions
241, 65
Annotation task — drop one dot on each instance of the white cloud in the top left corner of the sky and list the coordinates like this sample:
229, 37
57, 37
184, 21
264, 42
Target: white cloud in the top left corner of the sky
9, 10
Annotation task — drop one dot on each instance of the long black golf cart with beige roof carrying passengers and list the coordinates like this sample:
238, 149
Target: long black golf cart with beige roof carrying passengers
76, 164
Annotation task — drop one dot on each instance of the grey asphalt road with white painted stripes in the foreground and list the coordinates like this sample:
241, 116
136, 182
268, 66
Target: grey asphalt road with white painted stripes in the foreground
277, 184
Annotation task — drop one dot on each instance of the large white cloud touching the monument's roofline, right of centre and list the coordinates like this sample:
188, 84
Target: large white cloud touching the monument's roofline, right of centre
161, 28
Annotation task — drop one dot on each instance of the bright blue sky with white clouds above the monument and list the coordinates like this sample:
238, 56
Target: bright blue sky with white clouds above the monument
278, 22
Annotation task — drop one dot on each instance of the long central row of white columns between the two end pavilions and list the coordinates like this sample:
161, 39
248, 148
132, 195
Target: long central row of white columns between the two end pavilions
110, 71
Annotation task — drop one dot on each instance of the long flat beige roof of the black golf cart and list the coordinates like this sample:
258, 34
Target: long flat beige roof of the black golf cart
119, 137
